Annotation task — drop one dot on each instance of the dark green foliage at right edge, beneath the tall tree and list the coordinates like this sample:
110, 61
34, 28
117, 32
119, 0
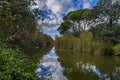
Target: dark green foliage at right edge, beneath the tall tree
103, 33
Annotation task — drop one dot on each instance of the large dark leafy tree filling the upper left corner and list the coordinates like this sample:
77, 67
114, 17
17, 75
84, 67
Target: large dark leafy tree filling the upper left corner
17, 22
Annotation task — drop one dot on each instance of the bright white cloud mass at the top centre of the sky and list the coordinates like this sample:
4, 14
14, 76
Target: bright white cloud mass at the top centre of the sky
57, 7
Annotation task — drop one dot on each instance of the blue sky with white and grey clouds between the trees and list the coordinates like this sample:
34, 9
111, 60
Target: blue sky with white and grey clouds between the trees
55, 10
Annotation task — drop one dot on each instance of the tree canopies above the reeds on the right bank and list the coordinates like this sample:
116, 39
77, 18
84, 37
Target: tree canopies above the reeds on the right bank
103, 21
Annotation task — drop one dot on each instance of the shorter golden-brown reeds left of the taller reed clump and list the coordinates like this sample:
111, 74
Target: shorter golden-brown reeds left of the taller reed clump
67, 43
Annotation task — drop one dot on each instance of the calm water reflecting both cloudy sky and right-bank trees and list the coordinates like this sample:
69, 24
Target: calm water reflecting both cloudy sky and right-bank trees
65, 65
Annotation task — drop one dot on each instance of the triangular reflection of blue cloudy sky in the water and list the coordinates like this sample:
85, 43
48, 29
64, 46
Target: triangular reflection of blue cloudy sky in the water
50, 68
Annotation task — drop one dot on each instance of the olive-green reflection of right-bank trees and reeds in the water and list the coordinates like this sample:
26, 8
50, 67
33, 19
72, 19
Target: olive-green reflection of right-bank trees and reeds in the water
80, 66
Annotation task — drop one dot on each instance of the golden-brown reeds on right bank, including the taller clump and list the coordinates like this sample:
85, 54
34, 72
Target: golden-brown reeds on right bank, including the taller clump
81, 43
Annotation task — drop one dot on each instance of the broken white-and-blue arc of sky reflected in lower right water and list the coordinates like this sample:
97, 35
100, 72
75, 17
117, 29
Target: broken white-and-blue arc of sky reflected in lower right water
89, 68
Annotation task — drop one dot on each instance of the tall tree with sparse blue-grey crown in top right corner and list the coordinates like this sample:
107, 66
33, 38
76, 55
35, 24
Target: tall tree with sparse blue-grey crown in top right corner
108, 12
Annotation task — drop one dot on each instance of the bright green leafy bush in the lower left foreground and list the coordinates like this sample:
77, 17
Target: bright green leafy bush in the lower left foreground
15, 66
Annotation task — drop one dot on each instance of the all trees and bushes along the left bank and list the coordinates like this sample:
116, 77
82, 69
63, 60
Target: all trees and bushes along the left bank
18, 30
